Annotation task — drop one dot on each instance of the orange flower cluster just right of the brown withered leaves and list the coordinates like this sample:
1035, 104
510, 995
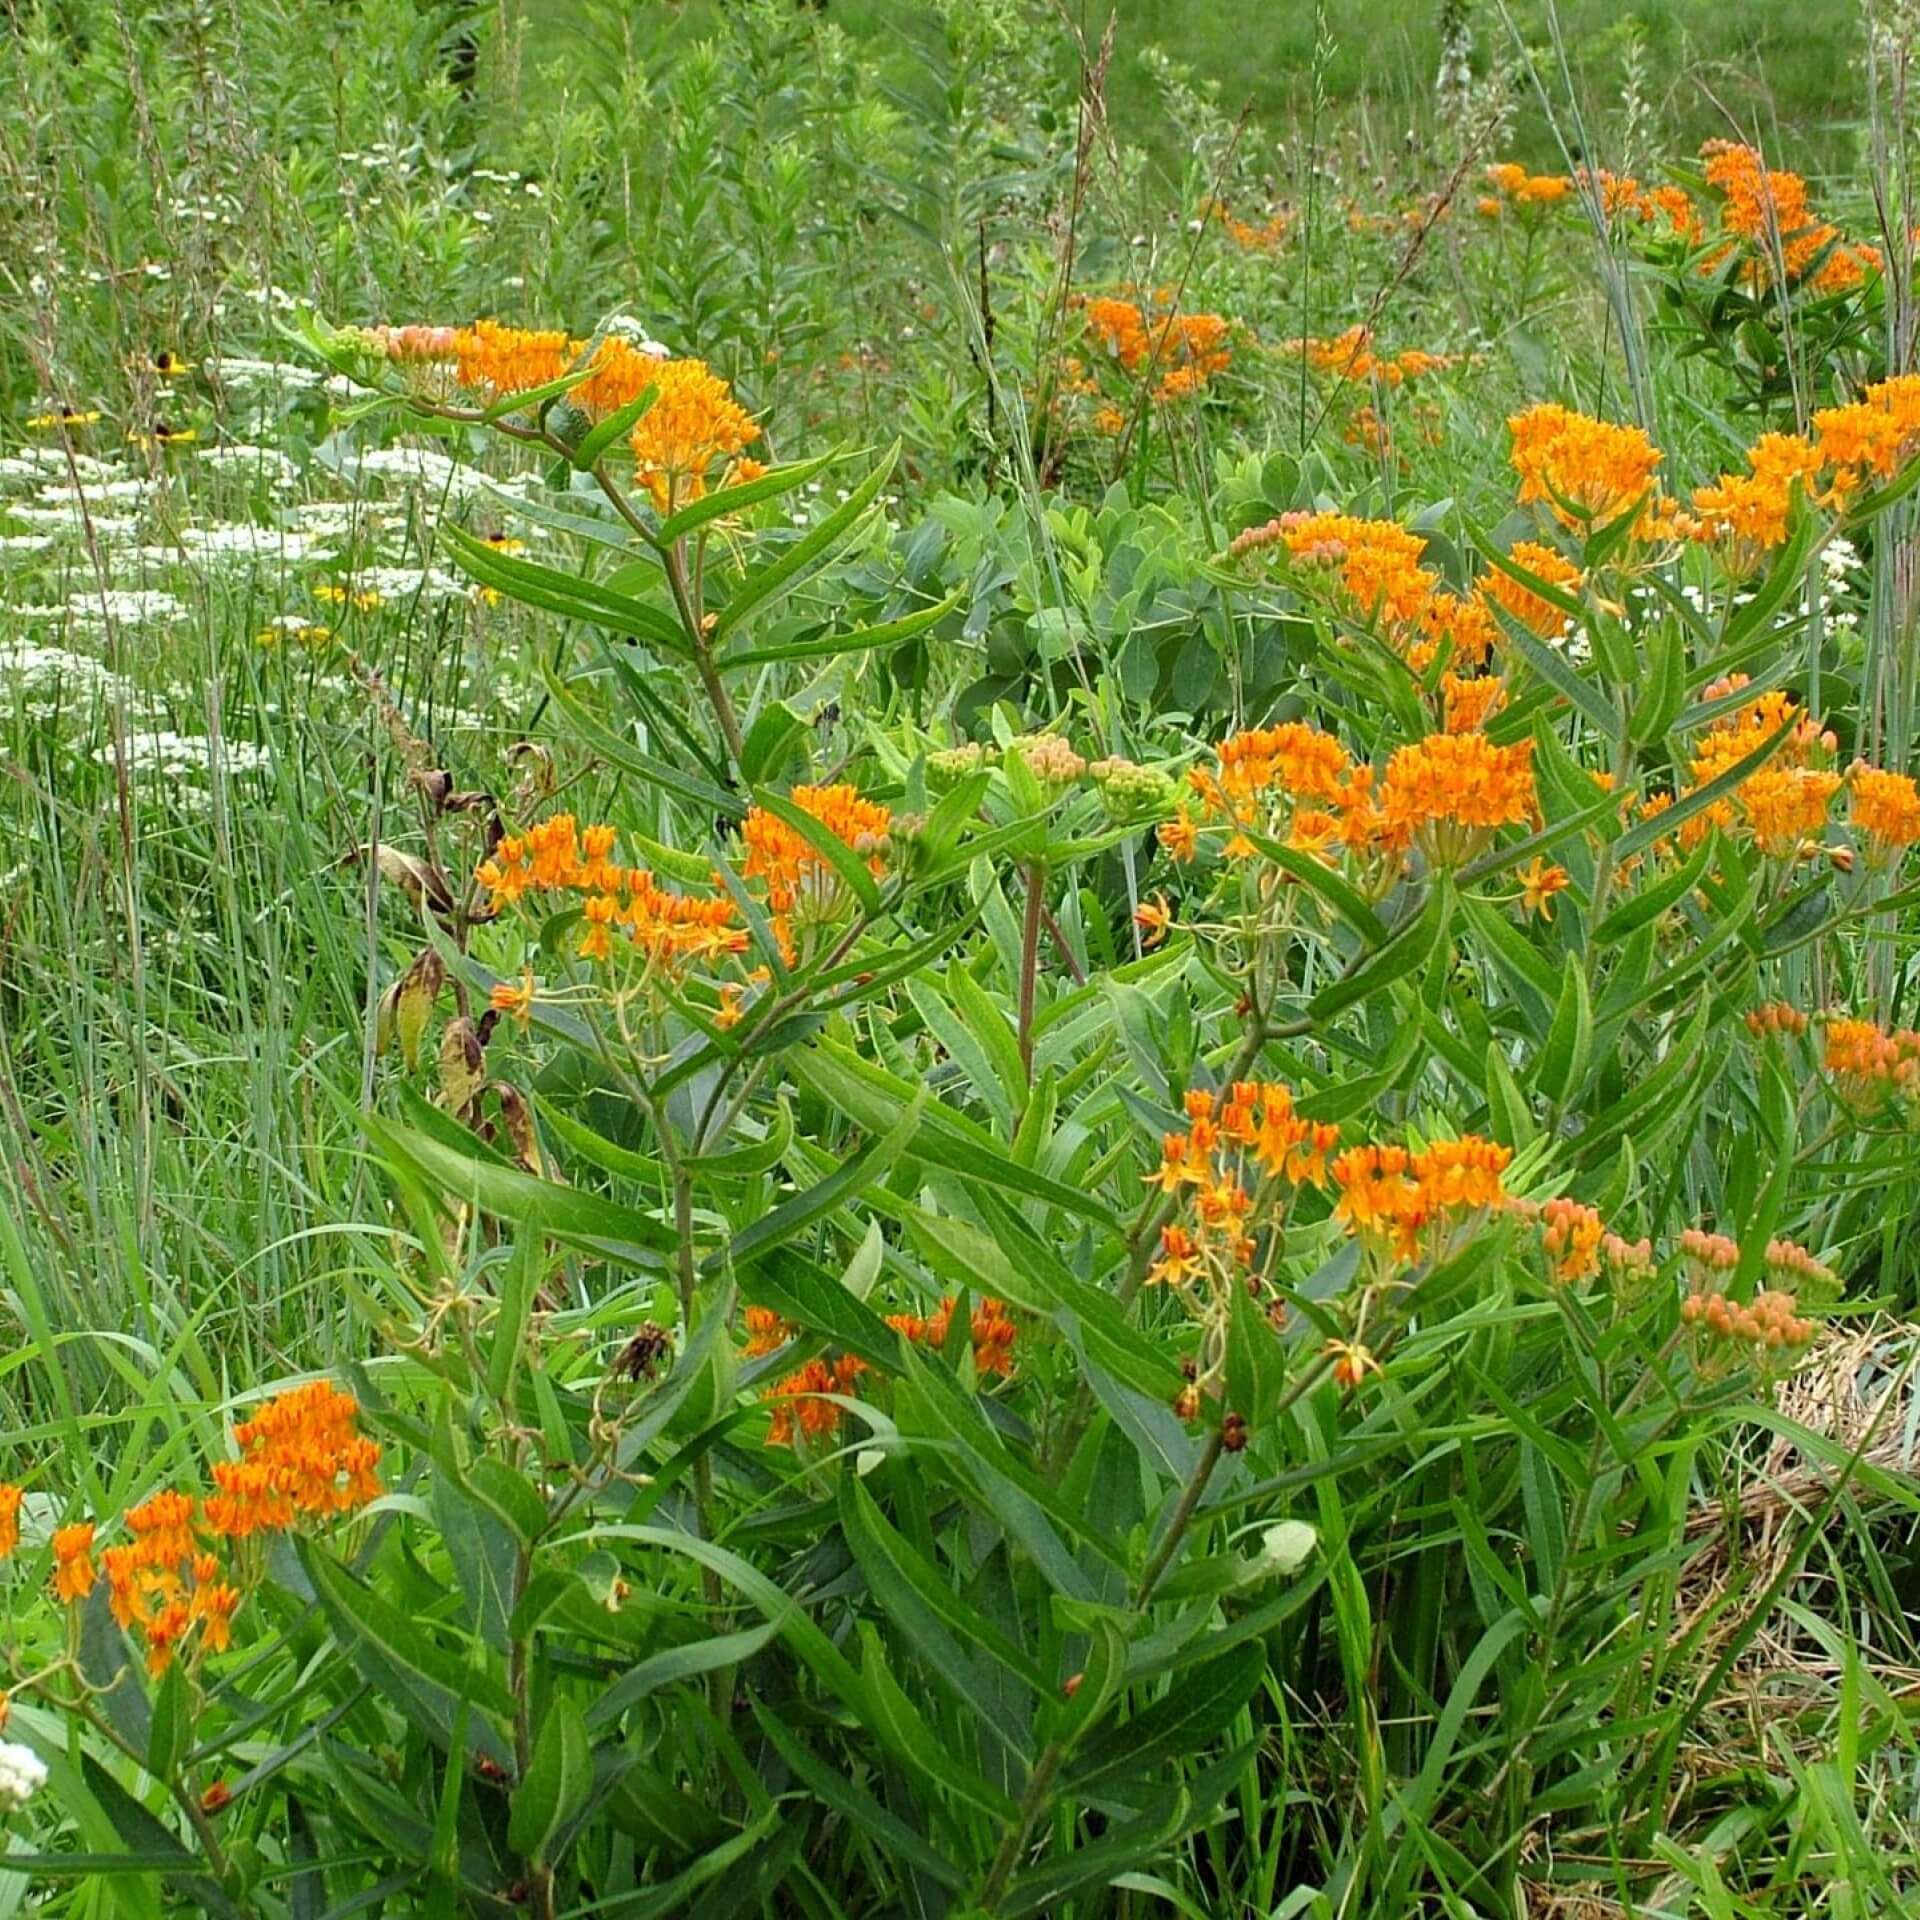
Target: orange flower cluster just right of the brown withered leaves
667, 930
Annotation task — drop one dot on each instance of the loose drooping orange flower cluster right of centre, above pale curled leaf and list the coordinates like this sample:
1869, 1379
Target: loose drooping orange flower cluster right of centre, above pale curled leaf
1237, 1163
